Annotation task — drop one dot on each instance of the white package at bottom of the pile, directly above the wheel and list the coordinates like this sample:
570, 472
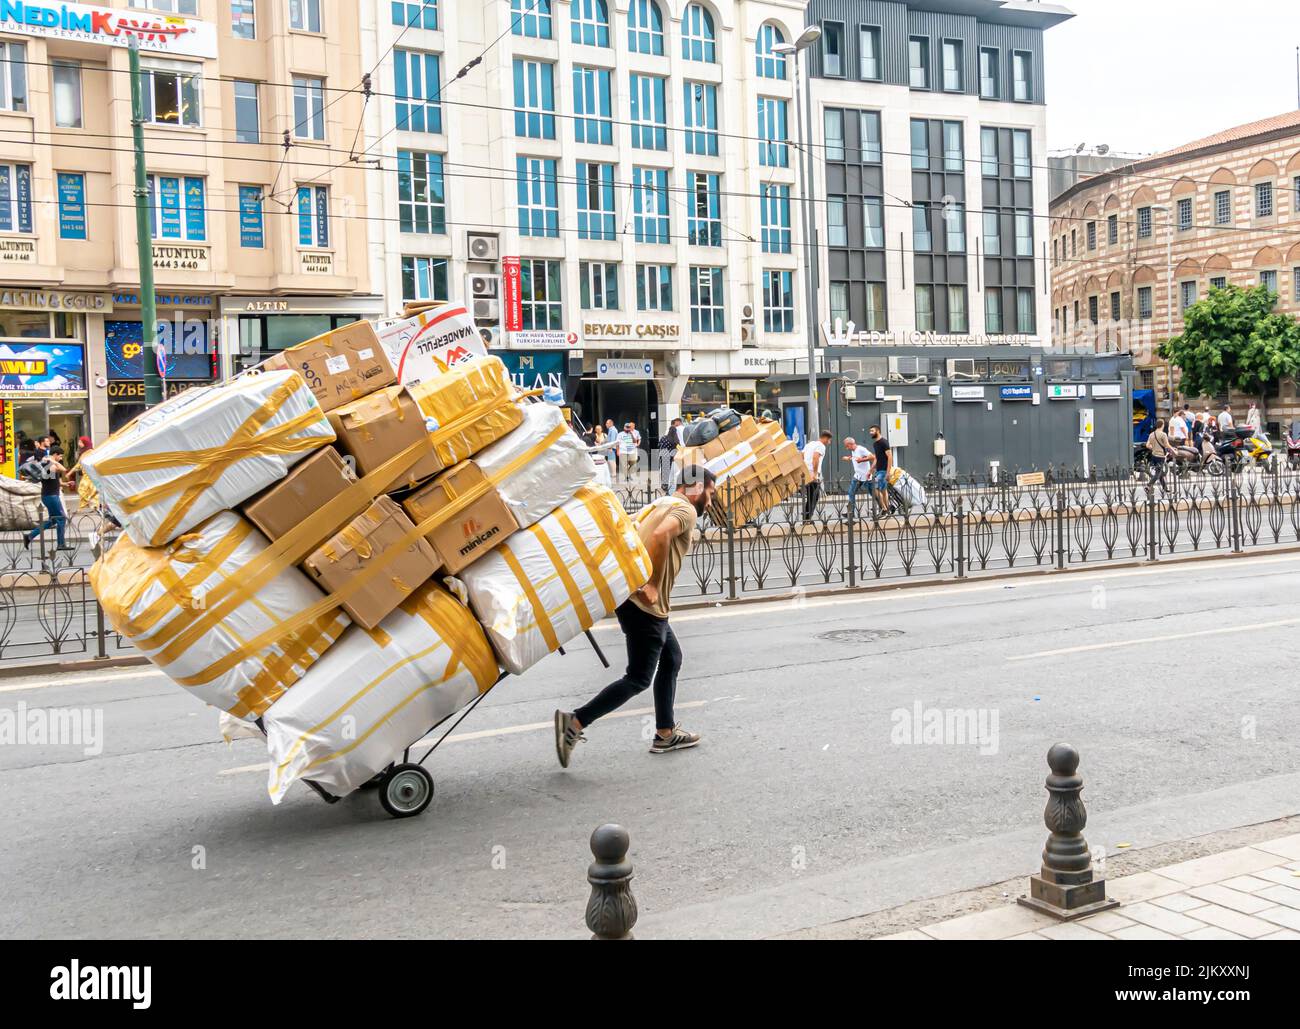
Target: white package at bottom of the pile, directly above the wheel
376, 693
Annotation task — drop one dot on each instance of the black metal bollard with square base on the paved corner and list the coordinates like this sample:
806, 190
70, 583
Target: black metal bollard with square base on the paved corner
1067, 888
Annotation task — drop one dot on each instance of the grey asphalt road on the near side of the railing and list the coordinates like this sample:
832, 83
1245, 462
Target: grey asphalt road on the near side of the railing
801, 806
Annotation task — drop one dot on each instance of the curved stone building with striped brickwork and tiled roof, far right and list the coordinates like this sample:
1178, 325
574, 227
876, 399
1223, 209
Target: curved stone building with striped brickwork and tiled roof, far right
1133, 248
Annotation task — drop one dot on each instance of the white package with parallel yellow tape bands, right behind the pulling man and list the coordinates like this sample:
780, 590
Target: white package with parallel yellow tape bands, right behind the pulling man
557, 579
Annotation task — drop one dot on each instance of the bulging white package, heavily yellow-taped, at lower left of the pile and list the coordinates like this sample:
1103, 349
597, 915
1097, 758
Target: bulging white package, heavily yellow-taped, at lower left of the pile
163, 600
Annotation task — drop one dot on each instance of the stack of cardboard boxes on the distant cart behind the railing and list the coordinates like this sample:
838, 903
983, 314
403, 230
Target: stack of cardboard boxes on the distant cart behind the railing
757, 468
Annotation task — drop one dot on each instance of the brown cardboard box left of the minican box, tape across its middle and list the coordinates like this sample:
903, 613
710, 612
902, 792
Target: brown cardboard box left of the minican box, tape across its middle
353, 550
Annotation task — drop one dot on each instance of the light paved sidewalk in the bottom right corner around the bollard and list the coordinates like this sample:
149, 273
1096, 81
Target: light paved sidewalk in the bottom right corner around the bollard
1249, 893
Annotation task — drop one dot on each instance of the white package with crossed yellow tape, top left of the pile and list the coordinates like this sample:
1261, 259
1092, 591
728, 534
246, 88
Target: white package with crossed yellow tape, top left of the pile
206, 451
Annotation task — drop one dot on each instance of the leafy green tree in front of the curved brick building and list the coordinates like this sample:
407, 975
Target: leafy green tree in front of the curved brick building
1233, 340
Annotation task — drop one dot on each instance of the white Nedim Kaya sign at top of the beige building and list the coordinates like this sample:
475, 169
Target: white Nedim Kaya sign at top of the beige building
112, 28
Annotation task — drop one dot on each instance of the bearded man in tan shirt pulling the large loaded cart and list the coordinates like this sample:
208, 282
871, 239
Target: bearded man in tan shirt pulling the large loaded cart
655, 655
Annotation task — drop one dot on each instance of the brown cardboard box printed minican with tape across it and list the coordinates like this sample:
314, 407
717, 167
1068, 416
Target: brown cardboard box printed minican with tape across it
470, 532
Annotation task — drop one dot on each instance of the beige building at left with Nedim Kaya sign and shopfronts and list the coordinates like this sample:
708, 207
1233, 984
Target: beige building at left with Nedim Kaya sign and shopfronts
255, 245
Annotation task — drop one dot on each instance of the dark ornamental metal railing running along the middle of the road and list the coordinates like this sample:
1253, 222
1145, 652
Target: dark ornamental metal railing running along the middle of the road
964, 528
